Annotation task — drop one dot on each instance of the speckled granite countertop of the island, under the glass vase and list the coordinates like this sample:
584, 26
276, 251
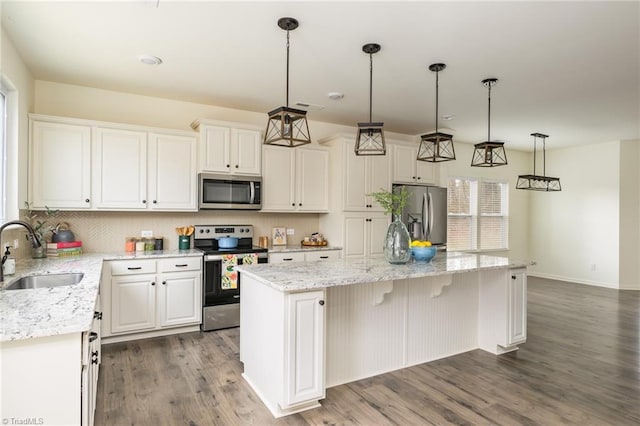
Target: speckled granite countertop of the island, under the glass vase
299, 276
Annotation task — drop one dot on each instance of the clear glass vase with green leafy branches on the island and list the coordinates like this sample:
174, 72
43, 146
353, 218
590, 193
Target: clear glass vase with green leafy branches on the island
397, 242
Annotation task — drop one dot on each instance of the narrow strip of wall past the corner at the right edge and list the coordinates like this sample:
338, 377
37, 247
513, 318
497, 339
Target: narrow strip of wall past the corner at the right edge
630, 215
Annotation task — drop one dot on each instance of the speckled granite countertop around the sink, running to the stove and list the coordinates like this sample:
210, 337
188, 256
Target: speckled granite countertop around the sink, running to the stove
26, 314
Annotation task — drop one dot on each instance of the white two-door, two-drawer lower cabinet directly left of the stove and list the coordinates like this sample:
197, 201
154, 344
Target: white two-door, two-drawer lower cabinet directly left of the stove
150, 295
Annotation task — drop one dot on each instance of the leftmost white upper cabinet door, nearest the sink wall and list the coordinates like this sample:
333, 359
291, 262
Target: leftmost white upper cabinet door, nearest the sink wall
60, 165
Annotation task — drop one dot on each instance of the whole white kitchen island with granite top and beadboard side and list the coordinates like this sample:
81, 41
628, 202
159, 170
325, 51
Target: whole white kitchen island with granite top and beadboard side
306, 326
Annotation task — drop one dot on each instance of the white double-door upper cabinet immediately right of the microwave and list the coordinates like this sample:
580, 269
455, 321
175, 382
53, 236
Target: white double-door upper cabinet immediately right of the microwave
295, 179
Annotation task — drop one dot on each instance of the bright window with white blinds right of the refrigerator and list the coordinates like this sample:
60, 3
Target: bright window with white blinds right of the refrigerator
478, 214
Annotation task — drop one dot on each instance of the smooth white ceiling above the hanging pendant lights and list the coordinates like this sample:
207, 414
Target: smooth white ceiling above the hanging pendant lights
567, 69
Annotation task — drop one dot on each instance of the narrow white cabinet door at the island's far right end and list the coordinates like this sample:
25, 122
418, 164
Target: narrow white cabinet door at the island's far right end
517, 305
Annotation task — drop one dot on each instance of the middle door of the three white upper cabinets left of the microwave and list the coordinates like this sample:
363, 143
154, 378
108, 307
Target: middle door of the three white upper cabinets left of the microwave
119, 169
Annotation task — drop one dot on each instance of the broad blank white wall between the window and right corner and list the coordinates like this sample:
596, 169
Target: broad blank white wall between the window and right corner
574, 235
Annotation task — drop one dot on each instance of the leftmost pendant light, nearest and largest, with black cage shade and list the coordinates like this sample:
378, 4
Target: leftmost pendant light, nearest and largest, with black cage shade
287, 126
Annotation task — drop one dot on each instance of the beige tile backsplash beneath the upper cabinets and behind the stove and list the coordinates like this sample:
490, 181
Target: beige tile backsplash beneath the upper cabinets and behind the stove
106, 231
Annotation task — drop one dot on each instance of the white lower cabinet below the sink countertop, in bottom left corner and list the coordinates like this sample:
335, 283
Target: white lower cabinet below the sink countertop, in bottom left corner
54, 379
